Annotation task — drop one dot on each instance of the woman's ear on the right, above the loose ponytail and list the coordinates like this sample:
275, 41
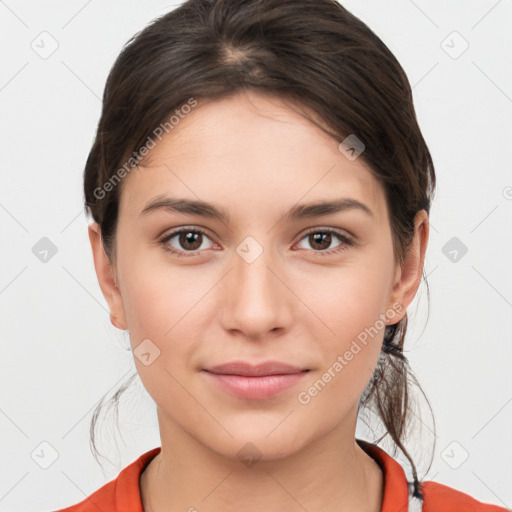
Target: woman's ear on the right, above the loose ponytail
408, 275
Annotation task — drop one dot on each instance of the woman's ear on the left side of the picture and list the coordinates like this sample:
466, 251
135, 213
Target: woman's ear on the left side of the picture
107, 279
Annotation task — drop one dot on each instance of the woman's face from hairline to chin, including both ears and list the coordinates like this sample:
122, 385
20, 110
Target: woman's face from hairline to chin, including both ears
270, 280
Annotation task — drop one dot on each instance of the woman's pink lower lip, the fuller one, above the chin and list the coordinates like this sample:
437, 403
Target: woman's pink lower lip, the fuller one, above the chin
255, 388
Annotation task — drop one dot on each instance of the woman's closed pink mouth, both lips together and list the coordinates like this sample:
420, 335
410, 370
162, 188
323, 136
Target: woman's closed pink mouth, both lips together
255, 382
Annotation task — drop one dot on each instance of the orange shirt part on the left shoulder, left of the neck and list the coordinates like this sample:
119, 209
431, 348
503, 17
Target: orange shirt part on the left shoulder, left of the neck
119, 495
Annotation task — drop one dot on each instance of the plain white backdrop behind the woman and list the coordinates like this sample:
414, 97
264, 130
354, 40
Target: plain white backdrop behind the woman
60, 354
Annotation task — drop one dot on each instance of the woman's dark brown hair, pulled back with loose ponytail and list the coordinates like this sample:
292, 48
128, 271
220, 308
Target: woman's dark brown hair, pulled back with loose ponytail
310, 53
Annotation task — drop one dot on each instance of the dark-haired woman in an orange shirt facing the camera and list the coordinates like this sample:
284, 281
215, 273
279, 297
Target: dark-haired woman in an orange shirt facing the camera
260, 191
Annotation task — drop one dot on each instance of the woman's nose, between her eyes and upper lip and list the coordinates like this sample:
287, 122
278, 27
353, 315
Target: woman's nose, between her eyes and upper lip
255, 300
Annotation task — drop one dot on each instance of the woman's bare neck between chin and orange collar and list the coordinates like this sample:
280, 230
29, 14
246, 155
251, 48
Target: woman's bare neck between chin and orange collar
331, 474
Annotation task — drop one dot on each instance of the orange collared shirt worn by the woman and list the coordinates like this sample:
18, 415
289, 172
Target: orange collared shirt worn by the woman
123, 493
